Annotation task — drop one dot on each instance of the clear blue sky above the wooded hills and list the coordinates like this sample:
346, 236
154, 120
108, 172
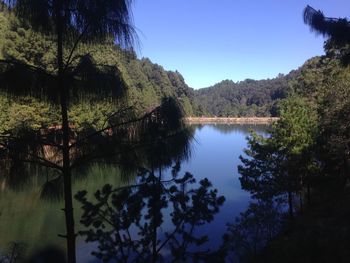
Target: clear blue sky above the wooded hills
211, 40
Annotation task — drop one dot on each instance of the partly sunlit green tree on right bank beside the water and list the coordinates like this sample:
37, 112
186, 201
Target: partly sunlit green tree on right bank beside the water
278, 166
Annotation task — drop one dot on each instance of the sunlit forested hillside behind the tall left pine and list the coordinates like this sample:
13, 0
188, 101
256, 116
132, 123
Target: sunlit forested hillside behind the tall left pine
145, 83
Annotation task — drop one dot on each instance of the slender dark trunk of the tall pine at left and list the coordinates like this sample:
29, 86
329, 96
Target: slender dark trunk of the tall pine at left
68, 199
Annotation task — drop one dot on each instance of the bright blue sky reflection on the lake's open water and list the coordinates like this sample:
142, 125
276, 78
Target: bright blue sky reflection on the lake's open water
215, 156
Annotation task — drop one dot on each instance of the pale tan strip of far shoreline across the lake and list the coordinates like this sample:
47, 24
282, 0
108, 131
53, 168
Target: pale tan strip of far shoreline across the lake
230, 120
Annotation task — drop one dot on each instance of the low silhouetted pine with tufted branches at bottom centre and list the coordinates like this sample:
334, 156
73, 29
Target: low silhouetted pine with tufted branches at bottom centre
128, 223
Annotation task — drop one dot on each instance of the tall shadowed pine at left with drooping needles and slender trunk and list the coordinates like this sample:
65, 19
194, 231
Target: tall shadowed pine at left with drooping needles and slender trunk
68, 22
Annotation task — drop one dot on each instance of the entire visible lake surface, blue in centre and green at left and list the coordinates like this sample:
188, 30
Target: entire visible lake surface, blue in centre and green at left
28, 220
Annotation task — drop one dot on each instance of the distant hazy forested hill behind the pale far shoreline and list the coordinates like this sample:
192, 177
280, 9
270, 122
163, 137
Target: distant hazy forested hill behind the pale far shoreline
244, 98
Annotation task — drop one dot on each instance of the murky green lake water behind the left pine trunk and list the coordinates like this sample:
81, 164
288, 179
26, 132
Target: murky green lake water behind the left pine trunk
27, 218
